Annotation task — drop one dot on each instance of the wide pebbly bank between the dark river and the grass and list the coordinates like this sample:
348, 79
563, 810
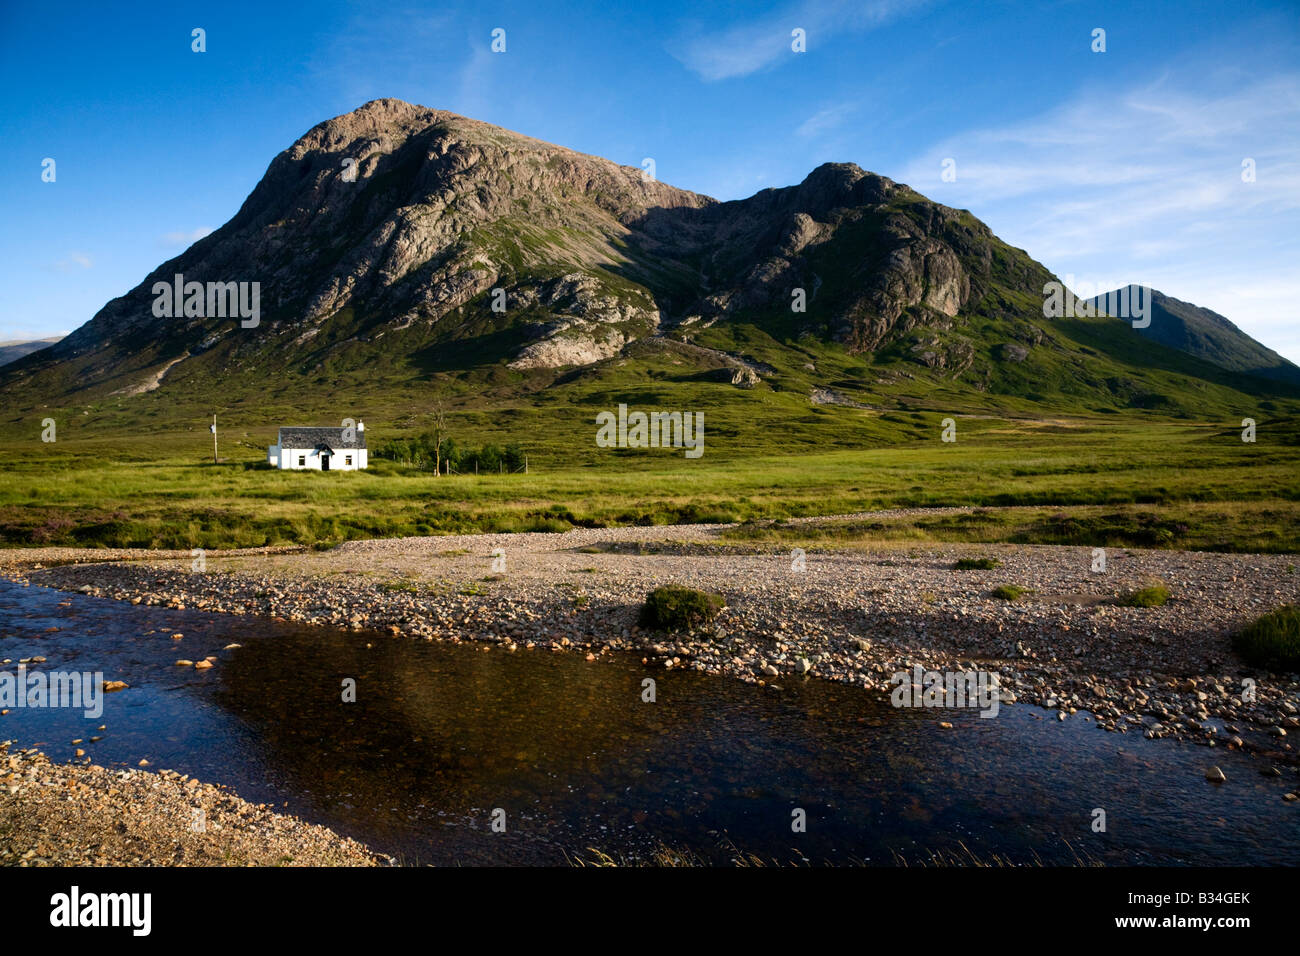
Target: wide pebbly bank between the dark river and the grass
853, 617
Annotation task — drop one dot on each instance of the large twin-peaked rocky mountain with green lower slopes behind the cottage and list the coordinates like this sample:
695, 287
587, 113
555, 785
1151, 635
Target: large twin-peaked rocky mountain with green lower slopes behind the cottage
404, 253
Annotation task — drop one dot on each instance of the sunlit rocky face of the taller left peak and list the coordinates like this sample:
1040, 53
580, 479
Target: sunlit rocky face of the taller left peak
400, 215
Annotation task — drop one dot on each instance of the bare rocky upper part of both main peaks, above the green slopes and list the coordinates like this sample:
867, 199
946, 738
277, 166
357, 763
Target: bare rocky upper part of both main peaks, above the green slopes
402, 219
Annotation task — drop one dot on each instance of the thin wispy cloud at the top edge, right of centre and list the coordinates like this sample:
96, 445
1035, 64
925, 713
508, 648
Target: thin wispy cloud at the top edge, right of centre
746, 49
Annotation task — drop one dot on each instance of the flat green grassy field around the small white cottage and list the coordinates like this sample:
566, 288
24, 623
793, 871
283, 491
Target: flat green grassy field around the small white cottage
1137, 483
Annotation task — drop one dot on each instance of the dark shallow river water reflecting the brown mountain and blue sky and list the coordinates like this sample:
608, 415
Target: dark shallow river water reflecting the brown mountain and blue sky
439, 737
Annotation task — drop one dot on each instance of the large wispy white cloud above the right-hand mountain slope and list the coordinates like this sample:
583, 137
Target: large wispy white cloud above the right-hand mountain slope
1147, 187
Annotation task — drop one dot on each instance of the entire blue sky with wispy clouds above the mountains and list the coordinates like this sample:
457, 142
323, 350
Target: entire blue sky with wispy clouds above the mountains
1112, 168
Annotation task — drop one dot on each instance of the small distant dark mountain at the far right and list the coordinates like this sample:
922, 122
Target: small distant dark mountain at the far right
1207, 336
